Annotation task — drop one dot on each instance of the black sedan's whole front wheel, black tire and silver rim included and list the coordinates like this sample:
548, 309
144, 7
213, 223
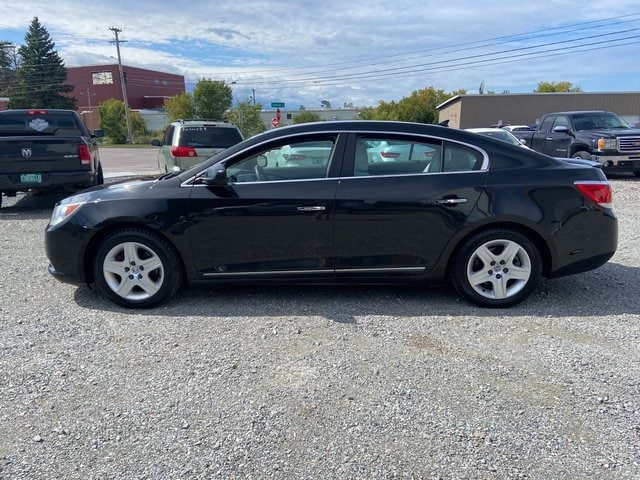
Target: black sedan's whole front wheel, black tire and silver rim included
135, 268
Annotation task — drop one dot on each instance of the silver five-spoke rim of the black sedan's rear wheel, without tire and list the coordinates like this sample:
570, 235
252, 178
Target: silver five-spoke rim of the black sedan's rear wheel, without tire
499, 269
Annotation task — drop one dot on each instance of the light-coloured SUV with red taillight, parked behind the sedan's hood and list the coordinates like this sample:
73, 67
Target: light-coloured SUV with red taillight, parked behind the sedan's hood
188, 142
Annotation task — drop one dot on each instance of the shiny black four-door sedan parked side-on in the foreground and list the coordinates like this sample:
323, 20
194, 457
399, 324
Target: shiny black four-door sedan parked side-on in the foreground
489, 217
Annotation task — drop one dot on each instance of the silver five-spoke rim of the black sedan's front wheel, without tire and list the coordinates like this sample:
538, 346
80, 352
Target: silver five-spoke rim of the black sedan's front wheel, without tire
133, 271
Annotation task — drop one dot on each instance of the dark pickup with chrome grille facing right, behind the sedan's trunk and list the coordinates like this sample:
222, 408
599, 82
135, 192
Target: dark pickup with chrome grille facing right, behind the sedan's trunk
591, 135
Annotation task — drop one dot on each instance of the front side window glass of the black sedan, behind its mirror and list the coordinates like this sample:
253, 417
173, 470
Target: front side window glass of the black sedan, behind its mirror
304, 160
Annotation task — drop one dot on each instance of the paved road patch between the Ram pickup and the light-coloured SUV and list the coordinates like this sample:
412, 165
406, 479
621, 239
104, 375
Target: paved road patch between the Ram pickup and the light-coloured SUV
122, 162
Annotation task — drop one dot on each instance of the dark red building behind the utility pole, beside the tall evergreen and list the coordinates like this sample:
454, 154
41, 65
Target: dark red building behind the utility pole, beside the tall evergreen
146, 89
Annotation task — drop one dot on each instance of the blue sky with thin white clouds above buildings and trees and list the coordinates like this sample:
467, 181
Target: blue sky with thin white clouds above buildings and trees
349, 52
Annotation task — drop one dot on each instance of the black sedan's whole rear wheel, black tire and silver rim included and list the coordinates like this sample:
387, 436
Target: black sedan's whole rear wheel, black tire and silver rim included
496, 268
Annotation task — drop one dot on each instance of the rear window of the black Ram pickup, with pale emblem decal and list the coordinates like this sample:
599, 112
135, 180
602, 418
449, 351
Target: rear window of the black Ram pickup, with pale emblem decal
39, 124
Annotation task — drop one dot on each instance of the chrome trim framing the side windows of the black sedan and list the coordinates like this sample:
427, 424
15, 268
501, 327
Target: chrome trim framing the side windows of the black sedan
483, 168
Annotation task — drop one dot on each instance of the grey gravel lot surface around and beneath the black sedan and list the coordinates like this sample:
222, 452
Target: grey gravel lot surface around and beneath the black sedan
308, 382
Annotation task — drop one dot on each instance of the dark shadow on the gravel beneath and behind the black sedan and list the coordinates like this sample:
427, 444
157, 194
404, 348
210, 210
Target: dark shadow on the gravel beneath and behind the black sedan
610, 290
